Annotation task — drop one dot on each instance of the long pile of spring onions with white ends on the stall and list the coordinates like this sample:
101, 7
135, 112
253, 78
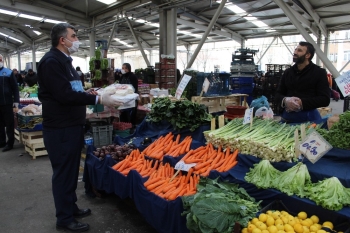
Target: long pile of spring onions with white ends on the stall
266, 139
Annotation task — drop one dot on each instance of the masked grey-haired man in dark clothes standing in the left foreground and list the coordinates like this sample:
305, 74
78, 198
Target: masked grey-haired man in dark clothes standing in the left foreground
64, 111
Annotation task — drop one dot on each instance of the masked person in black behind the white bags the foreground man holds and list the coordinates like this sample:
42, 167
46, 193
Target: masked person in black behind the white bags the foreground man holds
129, 78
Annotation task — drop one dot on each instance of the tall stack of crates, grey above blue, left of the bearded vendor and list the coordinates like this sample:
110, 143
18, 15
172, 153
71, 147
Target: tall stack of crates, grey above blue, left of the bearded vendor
243, 70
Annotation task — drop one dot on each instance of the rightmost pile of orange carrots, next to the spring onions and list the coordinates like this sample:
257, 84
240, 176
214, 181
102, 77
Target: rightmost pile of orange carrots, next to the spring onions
207, 159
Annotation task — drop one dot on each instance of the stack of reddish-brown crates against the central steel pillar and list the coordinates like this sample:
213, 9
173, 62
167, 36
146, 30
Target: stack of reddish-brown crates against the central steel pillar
165, 73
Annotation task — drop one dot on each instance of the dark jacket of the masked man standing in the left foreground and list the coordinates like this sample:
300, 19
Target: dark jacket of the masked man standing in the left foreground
60, 91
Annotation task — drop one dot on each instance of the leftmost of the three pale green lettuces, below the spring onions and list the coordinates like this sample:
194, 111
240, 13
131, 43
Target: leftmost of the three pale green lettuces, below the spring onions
263, 174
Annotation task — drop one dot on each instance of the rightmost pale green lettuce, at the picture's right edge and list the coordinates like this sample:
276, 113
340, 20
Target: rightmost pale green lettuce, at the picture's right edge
329, 193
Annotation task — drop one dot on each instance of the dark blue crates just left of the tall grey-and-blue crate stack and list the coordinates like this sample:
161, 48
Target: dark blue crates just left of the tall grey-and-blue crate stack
219, 84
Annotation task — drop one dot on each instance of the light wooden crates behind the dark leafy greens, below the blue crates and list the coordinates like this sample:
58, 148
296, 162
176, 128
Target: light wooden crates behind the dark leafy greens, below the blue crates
219, 103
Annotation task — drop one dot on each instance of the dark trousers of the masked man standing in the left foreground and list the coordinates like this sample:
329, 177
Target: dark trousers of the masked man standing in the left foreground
64, 149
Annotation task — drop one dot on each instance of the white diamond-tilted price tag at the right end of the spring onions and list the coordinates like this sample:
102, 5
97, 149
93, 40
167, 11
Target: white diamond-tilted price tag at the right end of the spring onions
314, 146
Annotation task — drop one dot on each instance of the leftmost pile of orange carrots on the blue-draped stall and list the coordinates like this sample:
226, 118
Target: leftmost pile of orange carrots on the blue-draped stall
135, 160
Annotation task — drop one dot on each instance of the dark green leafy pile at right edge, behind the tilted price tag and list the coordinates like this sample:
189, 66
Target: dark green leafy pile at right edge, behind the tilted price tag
339, 134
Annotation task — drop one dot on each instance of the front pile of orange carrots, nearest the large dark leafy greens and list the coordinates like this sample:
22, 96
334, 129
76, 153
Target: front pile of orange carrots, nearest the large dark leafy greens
164, 184
